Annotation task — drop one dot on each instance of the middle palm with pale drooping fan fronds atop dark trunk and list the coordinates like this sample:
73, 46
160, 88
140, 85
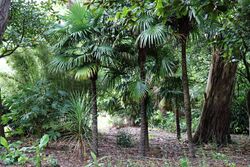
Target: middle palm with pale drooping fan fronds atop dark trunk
151, 35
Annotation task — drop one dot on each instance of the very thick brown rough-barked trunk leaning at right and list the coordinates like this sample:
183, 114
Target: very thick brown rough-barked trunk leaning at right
215, 118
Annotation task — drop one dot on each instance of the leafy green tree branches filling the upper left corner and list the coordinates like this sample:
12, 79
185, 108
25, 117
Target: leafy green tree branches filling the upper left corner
29, 20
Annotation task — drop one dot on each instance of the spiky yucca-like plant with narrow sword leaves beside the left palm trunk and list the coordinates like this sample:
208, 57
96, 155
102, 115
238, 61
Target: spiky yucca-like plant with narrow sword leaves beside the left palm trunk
77, 122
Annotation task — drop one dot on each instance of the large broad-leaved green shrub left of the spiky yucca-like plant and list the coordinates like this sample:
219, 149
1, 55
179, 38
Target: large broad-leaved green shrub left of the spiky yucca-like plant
36, 108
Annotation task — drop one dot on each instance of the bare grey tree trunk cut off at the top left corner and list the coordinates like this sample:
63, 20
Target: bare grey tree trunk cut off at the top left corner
4, 11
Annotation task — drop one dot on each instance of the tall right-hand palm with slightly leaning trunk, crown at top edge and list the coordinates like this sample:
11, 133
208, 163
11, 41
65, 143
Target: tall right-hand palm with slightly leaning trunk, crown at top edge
182, 19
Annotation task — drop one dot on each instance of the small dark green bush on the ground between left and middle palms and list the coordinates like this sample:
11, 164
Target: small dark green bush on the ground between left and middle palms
124, 139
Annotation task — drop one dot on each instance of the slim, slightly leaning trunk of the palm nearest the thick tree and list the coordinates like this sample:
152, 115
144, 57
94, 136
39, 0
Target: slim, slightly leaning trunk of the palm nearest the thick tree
187, 105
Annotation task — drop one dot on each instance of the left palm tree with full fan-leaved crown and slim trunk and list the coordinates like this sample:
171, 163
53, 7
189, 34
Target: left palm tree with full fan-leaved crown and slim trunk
83, 50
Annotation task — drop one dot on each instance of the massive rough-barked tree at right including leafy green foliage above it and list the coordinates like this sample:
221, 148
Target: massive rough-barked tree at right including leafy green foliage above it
229, 47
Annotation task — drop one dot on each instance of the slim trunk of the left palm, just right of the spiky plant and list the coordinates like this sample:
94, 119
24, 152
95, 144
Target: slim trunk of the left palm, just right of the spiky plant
94, 115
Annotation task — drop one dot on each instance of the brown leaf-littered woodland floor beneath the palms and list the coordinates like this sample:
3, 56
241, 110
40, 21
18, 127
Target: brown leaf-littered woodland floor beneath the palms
165, 151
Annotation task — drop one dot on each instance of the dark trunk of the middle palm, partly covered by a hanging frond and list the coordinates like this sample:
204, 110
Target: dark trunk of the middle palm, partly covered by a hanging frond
144, 142
